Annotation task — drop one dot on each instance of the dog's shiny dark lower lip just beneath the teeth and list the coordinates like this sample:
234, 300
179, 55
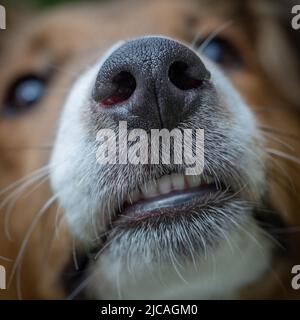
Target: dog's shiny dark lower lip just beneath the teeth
172, 203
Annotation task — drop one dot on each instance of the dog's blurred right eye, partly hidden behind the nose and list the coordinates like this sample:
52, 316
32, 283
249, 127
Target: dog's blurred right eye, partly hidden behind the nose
222, 52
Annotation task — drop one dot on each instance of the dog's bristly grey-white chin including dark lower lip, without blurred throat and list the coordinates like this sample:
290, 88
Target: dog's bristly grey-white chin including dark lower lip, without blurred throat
181, 225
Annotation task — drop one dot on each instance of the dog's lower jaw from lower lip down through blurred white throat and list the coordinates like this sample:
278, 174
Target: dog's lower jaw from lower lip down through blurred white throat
179, 252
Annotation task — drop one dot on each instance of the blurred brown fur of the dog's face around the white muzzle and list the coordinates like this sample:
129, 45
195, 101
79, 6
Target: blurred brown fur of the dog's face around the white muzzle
60, 43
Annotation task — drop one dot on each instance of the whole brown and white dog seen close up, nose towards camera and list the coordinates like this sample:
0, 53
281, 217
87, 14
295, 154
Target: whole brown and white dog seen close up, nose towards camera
75, 228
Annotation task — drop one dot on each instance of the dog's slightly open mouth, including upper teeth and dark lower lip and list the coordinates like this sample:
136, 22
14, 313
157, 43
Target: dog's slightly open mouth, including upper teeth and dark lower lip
172, 195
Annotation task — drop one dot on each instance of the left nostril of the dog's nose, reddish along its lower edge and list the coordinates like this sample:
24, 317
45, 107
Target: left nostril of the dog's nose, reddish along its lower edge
124, 85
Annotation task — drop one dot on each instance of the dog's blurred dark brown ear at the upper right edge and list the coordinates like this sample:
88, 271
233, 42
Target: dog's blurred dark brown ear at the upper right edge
279, 48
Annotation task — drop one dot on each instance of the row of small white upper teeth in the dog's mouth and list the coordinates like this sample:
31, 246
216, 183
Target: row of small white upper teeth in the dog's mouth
167, 184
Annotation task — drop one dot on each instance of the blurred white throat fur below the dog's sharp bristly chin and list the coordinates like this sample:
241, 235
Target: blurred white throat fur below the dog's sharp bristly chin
241, 259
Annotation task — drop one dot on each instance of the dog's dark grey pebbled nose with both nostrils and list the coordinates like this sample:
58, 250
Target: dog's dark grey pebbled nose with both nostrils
150, 82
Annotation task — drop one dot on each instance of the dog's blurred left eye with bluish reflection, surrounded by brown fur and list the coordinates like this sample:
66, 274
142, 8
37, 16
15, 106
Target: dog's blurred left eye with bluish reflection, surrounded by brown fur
24, 94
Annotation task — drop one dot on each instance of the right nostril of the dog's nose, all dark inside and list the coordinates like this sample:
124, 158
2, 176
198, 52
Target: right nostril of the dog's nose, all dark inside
178, 75
